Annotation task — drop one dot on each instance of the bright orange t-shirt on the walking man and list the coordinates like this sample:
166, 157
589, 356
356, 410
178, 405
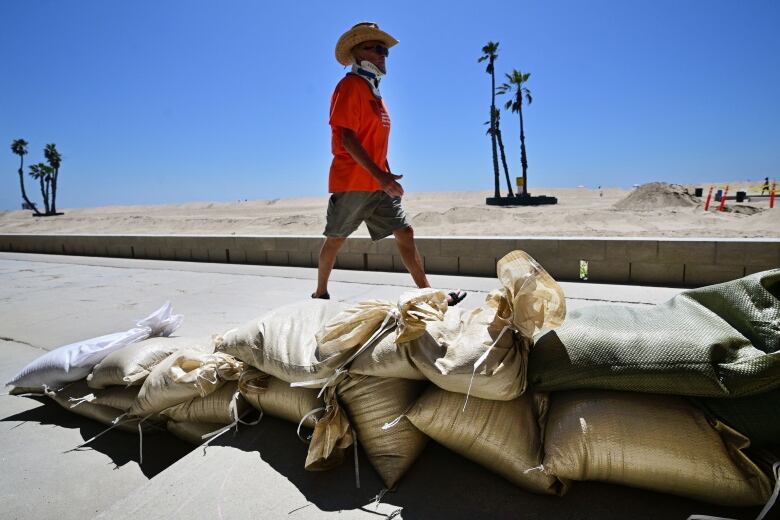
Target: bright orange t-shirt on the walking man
354, 106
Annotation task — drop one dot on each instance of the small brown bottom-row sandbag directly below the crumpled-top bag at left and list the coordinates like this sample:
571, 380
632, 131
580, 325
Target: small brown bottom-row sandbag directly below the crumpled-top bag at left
217, 407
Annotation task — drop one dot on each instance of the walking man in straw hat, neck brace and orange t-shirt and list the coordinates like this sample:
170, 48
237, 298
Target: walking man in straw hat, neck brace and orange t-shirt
362, 186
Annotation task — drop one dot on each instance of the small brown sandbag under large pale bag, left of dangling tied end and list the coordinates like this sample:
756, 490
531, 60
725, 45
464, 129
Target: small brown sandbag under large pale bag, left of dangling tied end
276, 398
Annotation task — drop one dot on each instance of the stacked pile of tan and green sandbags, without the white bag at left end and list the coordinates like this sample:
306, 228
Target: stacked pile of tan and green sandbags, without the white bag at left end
668, 398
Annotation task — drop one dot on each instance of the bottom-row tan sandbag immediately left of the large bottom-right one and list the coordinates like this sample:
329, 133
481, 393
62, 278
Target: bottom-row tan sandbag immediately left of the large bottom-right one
503, 436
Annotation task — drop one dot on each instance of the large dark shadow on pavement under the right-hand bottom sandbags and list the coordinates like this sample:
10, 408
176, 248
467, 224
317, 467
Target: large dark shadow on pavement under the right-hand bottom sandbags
442, 484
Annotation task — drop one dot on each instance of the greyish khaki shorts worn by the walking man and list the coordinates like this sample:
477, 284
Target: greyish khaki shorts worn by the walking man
381, 213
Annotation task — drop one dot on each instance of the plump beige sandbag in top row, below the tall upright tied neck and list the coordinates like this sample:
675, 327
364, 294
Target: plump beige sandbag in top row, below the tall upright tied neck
448, 351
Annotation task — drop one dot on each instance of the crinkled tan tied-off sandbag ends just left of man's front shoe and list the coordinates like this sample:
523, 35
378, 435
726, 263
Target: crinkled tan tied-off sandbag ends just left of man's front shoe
353, 326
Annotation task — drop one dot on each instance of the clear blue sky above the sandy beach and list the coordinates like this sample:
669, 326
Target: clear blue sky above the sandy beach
172, 101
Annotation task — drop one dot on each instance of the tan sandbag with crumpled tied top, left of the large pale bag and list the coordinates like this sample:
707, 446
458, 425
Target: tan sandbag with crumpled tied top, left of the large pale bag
182, 376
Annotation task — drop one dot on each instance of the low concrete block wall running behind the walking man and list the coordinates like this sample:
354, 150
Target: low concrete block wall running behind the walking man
653, 261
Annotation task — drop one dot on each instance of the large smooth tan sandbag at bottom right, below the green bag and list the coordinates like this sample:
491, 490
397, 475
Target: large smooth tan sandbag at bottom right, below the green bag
661, 443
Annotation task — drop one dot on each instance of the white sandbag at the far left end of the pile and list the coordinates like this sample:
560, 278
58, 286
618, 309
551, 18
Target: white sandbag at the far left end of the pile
76, 360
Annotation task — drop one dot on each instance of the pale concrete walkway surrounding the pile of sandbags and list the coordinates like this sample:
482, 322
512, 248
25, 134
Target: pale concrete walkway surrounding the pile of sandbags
47, 301
